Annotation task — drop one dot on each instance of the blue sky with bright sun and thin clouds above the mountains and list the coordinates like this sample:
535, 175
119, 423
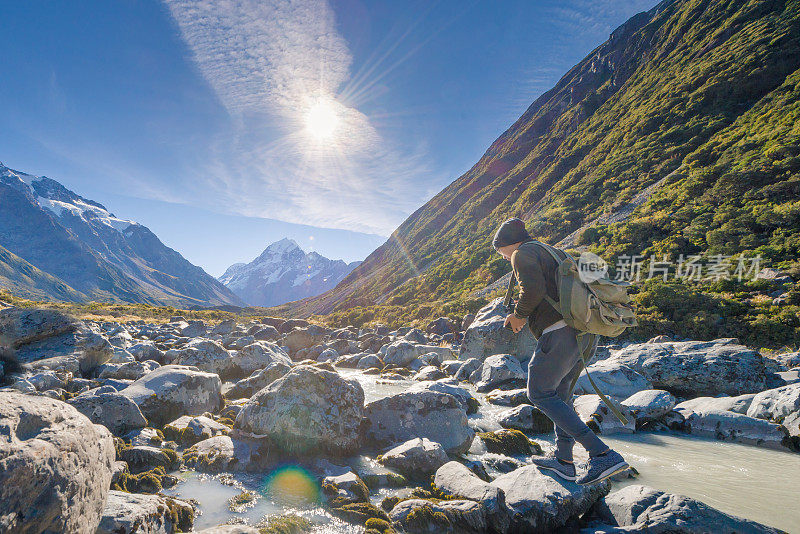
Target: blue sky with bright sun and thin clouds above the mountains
226, 125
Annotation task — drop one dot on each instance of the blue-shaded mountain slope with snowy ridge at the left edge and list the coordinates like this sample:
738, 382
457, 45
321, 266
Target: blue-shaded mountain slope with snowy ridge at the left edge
99, 256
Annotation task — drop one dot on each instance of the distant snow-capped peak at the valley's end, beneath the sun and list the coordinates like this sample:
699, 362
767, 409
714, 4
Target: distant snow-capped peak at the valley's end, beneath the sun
283, 273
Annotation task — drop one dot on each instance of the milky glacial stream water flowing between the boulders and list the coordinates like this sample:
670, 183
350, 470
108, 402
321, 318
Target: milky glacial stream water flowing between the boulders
750, 482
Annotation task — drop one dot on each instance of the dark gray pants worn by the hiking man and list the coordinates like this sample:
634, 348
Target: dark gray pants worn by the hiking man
555, 365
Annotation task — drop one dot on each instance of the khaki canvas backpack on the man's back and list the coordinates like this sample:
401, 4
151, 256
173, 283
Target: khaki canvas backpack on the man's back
601, 307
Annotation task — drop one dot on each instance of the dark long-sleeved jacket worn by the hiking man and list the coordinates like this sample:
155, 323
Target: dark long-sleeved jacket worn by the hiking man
535, 270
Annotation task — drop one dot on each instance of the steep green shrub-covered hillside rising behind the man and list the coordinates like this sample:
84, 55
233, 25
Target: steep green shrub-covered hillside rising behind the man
679, 135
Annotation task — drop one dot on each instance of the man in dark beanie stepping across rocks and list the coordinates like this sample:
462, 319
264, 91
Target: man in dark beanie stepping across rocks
556, 362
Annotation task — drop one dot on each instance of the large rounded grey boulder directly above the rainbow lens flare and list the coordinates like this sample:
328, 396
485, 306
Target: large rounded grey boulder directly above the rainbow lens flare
308, 410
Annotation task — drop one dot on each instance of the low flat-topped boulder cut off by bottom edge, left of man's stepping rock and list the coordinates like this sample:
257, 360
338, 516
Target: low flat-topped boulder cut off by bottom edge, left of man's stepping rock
445, 517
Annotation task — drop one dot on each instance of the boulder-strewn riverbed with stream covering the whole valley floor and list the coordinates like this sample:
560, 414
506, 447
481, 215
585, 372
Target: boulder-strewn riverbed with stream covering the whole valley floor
274, 425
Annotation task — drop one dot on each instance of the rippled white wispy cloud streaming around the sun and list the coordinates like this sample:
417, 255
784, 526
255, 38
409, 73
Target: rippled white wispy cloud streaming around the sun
270, 62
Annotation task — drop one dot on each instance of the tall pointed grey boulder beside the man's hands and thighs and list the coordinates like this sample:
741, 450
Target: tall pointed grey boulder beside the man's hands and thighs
487, 336
